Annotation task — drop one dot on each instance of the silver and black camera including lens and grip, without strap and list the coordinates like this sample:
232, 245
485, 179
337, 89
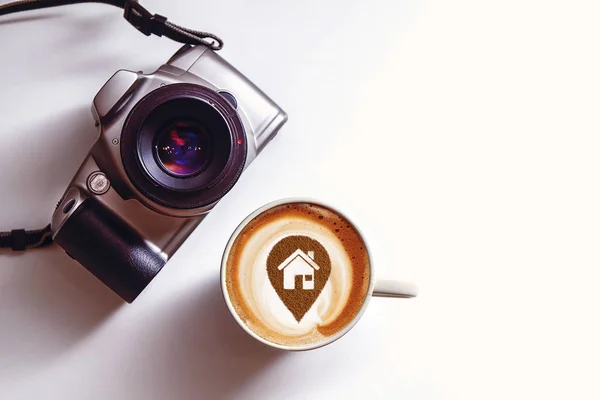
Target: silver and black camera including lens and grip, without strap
171, 144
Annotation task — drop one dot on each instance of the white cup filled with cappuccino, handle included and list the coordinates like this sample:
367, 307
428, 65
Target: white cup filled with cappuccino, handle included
297, 275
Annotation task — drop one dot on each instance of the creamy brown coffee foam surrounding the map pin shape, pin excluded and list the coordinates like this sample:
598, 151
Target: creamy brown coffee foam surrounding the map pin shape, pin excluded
254, 297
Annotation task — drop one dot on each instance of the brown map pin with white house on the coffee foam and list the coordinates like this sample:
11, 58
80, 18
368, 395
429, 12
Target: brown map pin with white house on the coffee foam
298, 268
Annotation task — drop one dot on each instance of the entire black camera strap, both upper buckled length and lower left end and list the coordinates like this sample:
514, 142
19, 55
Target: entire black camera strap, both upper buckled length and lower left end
145, 22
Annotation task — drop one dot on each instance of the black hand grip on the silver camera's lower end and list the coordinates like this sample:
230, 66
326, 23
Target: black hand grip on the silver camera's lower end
110, 249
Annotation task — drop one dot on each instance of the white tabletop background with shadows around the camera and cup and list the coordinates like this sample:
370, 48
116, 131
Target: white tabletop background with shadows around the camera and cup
462, 136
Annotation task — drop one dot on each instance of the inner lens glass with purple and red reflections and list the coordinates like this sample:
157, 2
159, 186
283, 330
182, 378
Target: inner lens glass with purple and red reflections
183, 148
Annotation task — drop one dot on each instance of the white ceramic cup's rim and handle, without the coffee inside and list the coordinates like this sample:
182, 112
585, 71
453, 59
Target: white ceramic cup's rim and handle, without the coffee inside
379, 288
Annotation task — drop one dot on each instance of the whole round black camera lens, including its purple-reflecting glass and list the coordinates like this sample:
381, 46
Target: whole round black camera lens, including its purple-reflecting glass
183, 146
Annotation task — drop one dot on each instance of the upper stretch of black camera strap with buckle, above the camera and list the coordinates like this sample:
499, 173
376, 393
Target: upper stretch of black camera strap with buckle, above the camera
139, 17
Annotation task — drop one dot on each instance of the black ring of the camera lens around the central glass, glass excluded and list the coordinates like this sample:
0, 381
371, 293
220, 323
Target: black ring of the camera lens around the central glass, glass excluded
182, 102
